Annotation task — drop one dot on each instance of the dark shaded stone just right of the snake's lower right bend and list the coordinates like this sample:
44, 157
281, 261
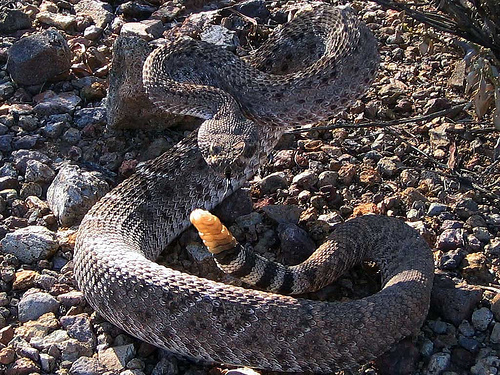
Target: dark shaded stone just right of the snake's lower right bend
453, 301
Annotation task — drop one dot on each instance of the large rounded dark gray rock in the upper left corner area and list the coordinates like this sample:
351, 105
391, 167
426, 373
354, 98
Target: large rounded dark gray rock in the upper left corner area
38, 58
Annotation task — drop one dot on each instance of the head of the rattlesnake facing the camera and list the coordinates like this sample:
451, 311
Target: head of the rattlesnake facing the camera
230, 148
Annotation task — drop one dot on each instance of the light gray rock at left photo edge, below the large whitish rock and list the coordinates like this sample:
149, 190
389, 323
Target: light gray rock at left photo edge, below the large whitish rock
30, 244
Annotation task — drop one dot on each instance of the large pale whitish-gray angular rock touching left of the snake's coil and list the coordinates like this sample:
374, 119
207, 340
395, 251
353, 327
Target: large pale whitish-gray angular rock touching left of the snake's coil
73, 192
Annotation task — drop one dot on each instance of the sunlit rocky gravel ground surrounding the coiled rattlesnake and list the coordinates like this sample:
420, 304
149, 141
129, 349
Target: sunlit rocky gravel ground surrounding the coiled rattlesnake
439, 172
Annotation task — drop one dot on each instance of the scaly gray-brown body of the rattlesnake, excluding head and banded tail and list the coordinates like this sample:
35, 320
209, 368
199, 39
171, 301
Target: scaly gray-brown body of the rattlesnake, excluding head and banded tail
123, 234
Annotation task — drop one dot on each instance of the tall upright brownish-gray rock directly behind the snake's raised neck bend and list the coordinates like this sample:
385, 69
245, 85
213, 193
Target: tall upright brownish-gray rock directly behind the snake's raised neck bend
128, 105
